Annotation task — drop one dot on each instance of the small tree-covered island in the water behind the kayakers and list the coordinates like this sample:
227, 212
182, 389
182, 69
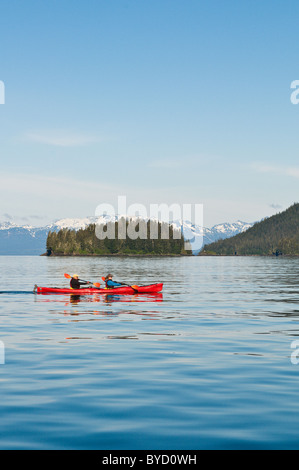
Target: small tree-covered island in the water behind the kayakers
123, 238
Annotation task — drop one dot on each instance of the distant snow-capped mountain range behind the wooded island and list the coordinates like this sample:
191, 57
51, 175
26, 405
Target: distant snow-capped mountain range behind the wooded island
28, 240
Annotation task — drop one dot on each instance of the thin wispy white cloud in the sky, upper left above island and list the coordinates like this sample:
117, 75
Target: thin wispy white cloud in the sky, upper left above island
60, 138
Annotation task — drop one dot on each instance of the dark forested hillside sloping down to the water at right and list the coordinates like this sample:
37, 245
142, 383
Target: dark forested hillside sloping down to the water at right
277, 235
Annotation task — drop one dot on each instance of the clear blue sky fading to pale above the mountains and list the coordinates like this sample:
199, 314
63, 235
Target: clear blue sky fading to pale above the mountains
165, 101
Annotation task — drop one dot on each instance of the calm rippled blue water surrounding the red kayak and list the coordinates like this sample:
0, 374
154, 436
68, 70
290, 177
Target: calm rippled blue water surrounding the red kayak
210, 365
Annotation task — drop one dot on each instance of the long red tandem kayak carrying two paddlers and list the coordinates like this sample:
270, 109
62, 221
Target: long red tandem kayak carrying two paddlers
150, 289
